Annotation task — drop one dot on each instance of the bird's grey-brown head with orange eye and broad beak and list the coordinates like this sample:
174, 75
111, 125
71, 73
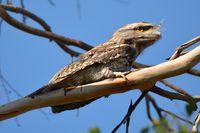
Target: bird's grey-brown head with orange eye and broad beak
140, 35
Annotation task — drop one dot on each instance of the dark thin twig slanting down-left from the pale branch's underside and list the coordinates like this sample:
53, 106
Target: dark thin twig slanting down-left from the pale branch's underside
131, 109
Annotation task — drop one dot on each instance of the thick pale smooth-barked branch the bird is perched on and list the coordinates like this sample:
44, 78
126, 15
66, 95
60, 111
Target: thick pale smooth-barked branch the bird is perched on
142, 79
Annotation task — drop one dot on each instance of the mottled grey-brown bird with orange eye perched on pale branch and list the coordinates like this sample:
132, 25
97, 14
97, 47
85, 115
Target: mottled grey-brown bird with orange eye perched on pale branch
111, 59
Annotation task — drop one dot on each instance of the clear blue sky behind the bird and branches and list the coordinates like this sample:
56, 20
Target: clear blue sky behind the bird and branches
28, 61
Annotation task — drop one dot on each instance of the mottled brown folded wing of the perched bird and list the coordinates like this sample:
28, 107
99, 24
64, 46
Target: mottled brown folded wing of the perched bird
100, 54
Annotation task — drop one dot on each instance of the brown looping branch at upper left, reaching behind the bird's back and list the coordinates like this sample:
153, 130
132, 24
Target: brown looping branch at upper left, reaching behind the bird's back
47, 34
